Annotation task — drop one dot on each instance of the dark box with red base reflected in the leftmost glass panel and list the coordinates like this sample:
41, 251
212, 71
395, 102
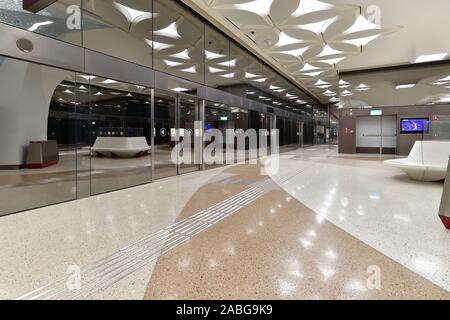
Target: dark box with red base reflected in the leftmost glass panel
42, 154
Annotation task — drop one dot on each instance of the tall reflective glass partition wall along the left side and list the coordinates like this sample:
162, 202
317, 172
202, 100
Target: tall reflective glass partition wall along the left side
82, 134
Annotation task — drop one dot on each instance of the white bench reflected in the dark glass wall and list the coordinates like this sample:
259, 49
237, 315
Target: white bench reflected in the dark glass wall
121, 147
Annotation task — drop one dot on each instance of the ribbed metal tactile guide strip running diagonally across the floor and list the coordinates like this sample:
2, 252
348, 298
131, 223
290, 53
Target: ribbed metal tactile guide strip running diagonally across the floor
109, 270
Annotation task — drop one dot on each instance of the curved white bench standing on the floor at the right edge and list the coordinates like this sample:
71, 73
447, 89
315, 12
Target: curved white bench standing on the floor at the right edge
427, 161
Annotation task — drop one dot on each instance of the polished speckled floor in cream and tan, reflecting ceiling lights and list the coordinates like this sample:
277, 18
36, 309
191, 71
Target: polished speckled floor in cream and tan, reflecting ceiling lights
315, 230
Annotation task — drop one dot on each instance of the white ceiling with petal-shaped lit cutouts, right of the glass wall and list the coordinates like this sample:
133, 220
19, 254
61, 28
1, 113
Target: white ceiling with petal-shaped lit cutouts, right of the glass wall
280, 32
